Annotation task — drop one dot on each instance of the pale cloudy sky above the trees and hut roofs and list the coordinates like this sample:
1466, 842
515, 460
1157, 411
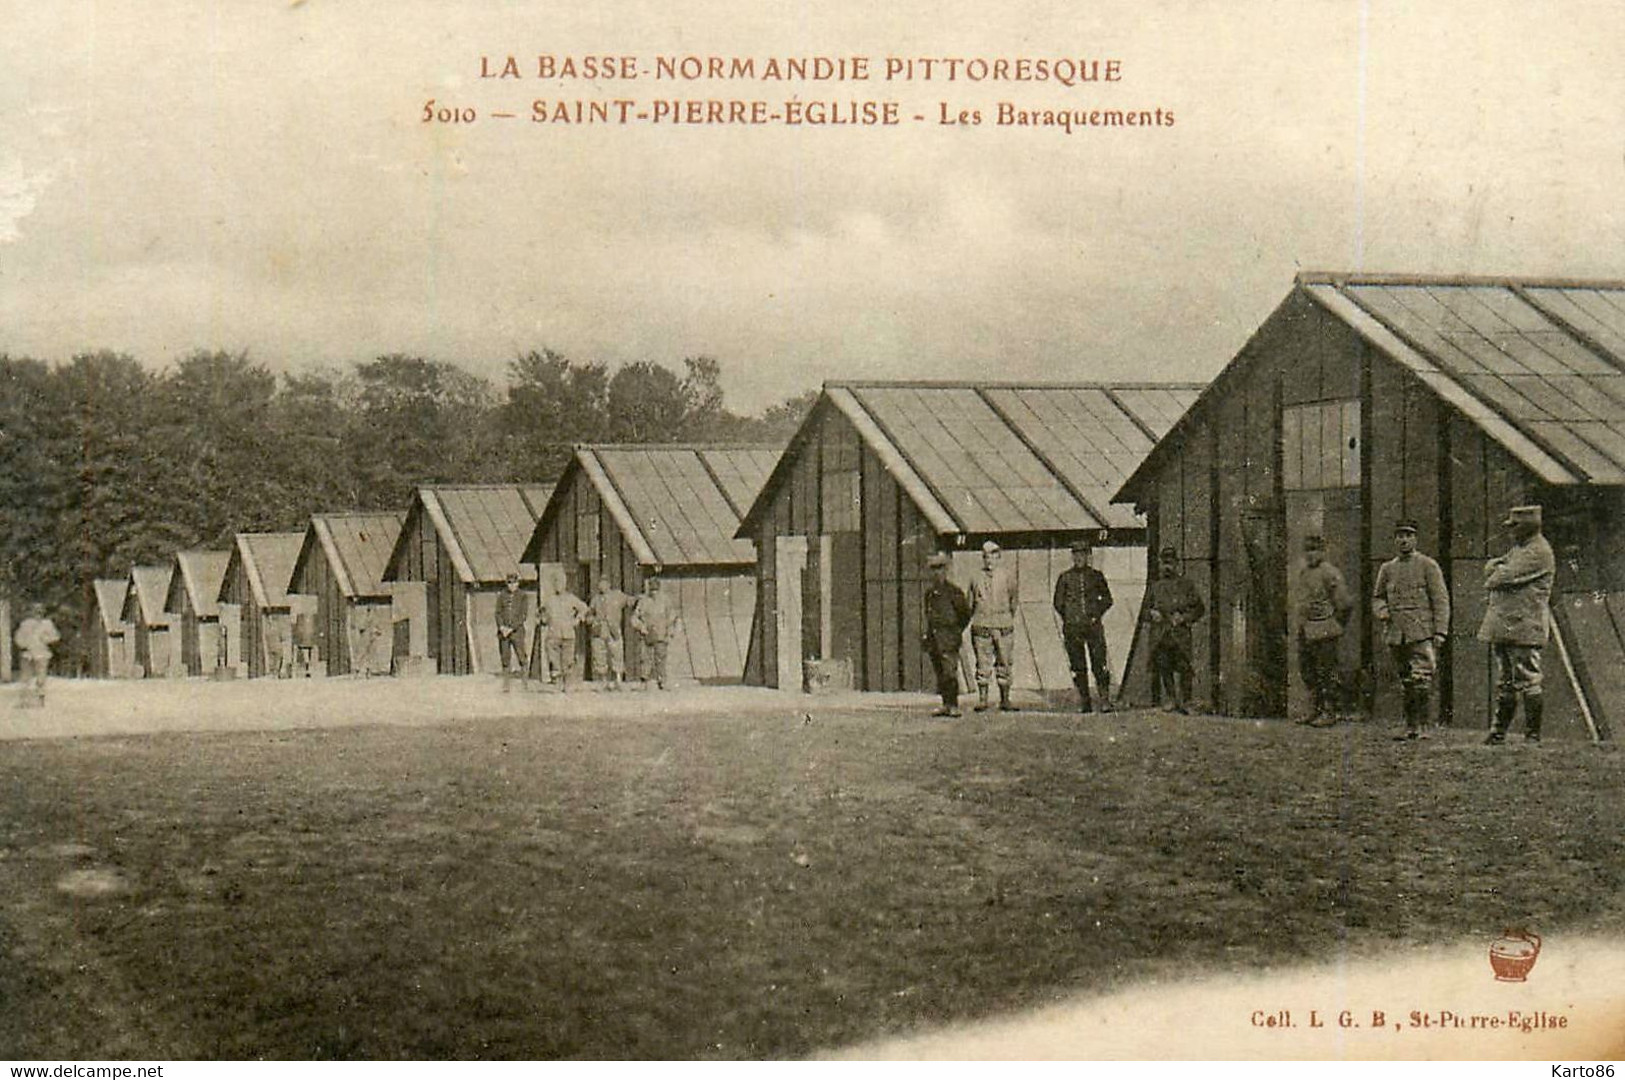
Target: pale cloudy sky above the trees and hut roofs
256, 175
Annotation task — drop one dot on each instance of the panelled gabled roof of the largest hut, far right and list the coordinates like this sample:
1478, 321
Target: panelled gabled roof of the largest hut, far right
1536, 365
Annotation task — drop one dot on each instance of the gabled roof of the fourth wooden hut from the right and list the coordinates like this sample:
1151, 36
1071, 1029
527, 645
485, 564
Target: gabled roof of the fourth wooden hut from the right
483, 529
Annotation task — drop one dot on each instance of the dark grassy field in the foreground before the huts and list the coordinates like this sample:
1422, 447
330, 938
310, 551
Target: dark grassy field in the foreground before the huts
704, 886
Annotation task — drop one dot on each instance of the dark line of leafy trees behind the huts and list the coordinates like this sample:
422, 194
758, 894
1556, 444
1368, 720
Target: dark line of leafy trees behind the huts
106, 464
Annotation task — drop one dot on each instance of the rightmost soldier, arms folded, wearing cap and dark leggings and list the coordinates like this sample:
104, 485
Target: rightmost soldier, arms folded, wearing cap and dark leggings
1519, 620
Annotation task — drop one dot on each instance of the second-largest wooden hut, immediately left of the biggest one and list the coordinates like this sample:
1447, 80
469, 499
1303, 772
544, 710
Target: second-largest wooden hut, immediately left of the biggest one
882, 475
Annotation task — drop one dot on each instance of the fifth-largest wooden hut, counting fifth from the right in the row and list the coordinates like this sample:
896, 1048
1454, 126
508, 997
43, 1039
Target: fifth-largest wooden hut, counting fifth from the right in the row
340, 566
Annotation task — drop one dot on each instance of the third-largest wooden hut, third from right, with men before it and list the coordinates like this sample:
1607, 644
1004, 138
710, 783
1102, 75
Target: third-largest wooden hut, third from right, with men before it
628, 512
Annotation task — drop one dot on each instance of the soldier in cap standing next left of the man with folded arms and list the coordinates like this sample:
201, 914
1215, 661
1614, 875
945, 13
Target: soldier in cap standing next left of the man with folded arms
1413, 608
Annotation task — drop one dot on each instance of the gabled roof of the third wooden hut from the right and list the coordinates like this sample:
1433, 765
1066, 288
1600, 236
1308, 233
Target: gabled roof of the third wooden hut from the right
677, 506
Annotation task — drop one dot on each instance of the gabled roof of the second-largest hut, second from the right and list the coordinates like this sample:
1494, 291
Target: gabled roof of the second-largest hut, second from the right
992, 459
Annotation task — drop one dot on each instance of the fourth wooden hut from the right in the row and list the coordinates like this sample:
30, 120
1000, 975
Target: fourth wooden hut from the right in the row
456, 551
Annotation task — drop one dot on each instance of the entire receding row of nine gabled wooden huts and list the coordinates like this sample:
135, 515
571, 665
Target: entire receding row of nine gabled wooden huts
1363, 399
